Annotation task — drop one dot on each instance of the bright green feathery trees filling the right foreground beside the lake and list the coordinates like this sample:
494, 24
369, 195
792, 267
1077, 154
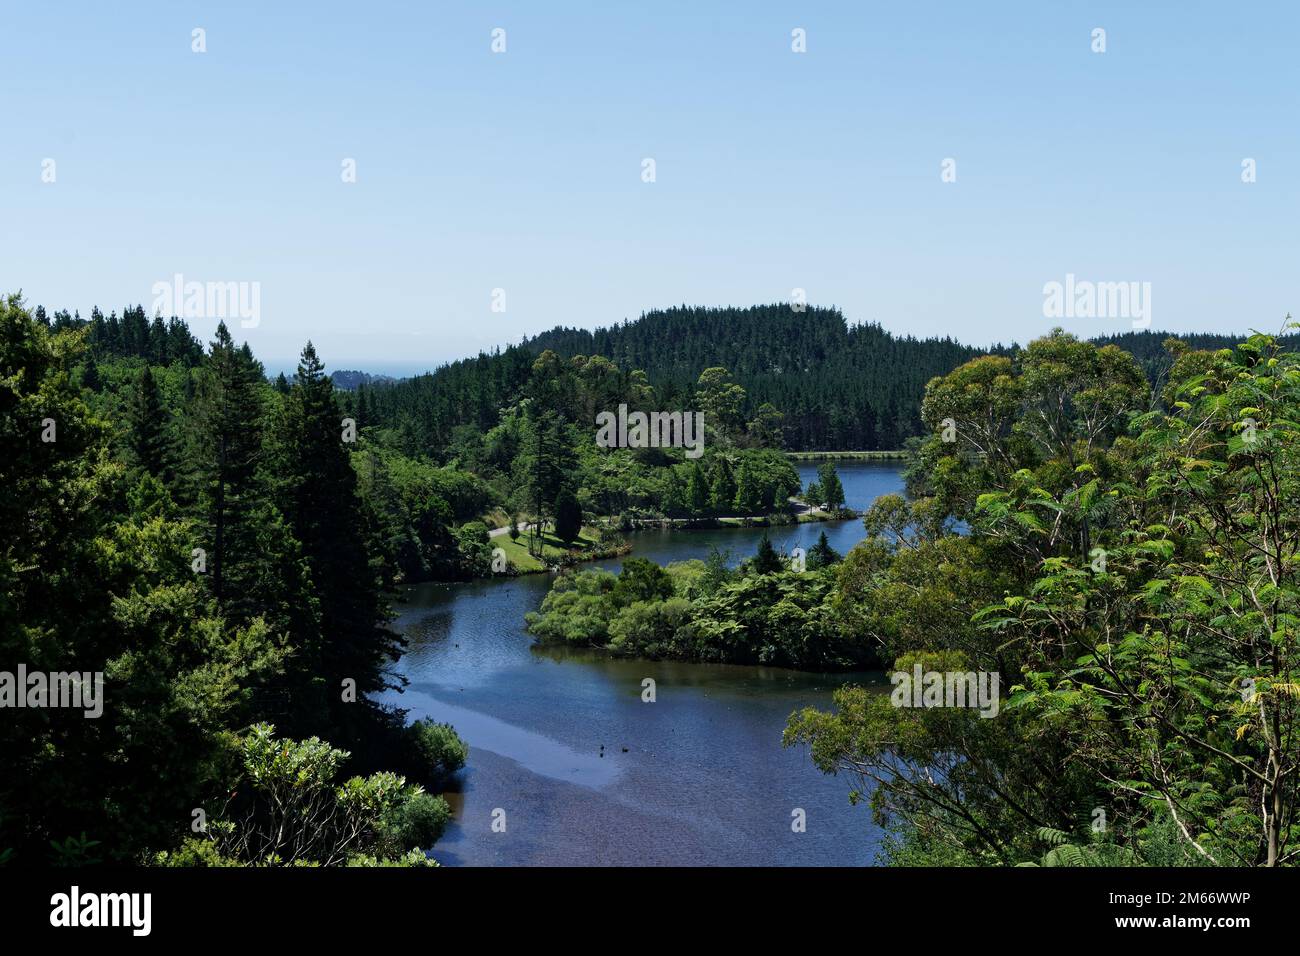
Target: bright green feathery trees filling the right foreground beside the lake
1130, 573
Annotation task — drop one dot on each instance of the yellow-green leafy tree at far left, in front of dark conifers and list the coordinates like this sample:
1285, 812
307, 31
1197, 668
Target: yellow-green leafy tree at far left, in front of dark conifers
88, 589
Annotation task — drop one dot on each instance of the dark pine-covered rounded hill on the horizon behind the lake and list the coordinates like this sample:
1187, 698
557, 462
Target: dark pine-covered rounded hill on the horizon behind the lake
839, 386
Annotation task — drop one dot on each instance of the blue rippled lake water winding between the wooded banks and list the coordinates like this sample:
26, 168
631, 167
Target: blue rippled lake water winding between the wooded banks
586, 772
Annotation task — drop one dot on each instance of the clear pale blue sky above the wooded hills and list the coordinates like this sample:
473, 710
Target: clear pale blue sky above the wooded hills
499, 194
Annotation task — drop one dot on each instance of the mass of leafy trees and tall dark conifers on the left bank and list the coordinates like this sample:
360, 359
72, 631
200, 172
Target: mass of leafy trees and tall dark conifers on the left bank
194, 535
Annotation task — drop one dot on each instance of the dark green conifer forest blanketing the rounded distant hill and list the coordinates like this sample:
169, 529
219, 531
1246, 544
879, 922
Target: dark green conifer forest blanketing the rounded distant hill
835, 386
